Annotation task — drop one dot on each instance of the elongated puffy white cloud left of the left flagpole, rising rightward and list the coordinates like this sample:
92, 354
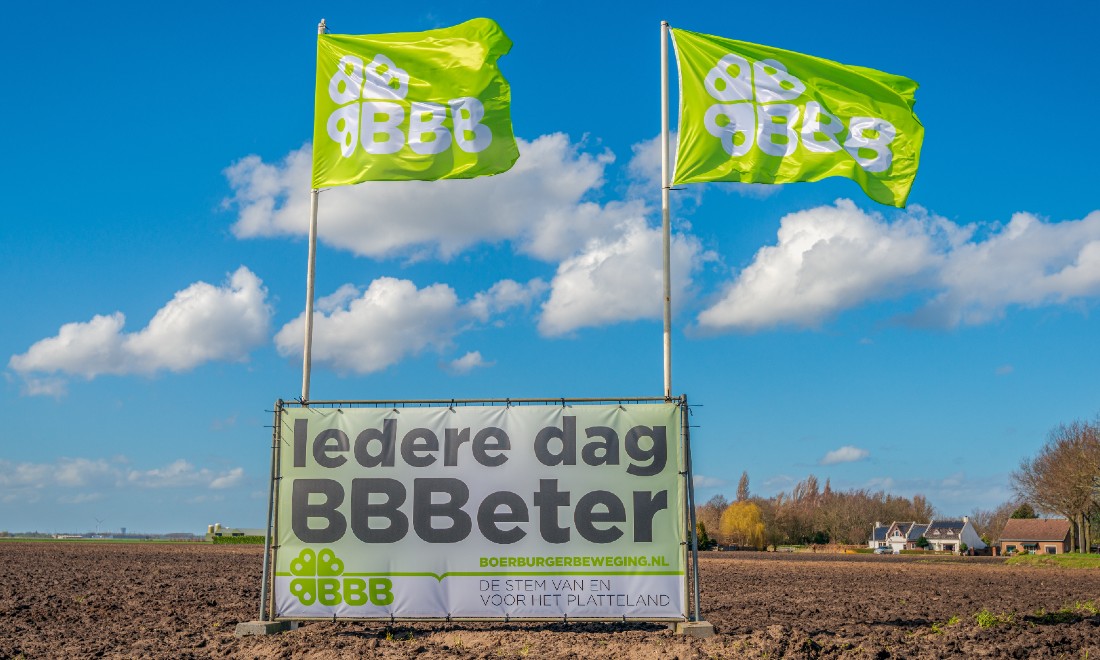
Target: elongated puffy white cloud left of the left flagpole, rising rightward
201, 324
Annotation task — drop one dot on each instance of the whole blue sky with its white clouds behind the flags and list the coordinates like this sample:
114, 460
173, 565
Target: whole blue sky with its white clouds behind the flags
153, 249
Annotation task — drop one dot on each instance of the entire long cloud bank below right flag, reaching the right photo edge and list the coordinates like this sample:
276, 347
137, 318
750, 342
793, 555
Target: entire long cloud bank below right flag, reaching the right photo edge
832, 259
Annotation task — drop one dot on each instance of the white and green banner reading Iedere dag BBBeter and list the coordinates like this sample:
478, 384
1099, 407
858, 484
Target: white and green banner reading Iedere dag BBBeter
481, 512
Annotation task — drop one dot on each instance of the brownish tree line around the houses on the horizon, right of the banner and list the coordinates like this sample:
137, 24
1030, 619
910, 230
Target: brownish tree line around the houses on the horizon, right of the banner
1063, 480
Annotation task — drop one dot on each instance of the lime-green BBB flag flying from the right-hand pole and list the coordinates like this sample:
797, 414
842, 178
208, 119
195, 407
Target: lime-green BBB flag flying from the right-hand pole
758, 115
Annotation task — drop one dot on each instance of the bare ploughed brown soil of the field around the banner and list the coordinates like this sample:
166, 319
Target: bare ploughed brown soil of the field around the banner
76, 600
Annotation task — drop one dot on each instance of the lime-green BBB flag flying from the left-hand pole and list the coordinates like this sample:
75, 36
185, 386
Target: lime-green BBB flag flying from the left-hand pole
410, 106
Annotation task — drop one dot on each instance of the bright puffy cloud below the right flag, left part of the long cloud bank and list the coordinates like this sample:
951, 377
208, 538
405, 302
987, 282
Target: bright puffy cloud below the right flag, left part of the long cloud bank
828, 260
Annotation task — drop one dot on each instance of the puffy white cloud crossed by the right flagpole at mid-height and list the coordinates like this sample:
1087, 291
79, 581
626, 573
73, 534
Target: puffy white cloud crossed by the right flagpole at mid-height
619, 280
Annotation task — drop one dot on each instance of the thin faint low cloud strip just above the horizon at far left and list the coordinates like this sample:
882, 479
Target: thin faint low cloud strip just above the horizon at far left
27, 482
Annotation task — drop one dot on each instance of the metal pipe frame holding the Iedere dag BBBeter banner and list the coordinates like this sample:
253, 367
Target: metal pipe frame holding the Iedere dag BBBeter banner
688, 541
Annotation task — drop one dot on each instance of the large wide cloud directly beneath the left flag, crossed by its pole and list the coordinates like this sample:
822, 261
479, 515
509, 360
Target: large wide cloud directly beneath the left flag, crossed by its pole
540, 204
